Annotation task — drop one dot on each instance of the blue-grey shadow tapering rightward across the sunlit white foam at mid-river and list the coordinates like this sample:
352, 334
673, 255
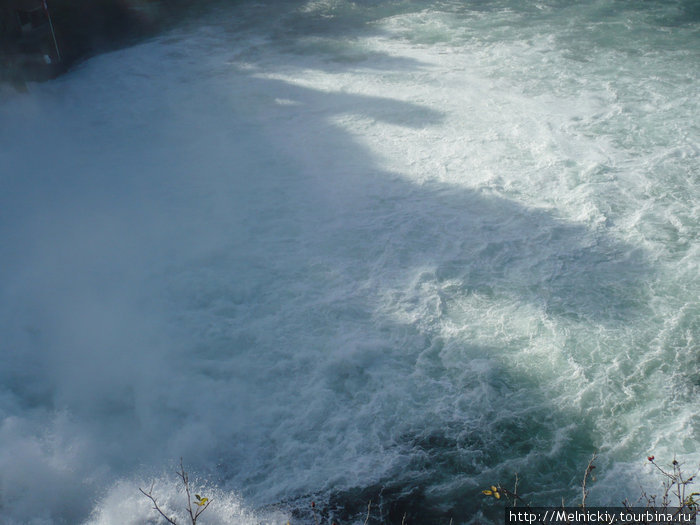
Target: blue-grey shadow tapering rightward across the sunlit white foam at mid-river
486, 243
